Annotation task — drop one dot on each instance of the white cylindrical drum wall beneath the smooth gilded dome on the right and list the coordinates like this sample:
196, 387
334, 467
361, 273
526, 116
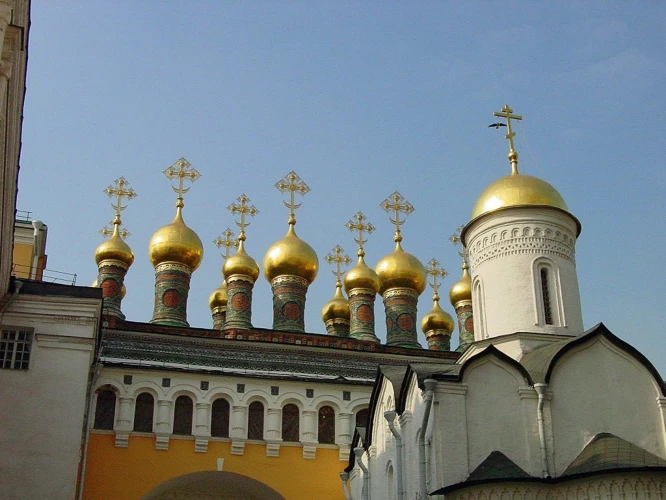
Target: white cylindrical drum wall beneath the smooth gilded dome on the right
504, 248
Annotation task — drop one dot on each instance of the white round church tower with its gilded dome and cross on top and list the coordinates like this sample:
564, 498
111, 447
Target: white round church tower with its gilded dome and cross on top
521, 242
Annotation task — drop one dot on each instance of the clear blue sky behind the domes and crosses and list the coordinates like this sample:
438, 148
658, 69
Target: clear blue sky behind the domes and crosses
360, 99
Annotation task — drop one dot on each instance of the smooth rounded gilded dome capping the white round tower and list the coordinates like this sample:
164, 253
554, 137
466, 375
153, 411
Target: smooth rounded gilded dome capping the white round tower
517, 190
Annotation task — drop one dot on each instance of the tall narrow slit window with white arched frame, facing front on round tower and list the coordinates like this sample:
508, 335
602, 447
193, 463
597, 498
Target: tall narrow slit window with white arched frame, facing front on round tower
547, 293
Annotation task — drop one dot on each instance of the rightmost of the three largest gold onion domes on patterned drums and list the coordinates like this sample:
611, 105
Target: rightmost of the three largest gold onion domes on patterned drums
400, 269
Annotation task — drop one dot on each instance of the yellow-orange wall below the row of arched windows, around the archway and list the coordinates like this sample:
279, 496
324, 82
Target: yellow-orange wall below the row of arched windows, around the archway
129, 473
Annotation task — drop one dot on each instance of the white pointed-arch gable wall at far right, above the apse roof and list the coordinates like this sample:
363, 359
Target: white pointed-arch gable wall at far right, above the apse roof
596, 388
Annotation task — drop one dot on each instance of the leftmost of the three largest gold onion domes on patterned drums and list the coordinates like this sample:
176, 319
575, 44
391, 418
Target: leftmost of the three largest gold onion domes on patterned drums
176, 242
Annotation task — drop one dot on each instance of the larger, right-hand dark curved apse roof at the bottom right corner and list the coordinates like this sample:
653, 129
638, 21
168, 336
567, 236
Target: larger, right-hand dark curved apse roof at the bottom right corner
607, 451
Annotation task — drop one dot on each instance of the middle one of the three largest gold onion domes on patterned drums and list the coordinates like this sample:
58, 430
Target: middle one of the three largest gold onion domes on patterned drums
291, 256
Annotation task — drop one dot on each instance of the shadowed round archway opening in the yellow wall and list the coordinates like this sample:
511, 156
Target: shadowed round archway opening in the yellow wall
213, 485
